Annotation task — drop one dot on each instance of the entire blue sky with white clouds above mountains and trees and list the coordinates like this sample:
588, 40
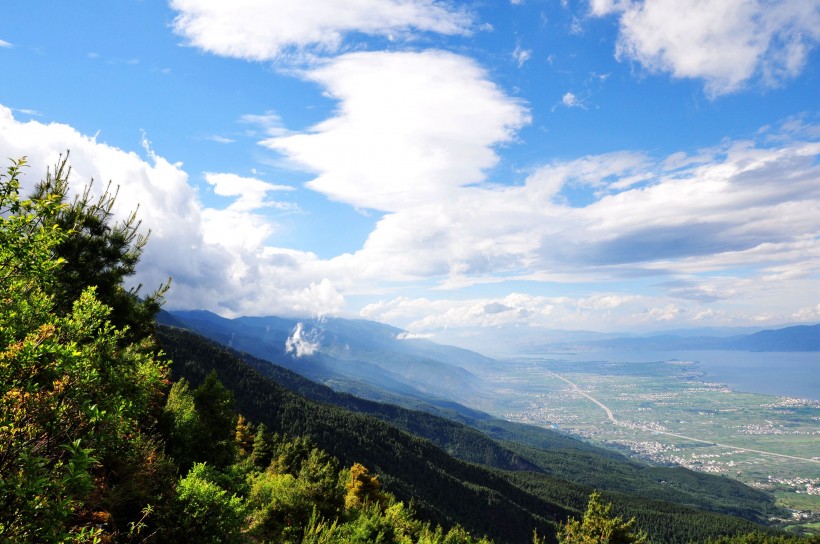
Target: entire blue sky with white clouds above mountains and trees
612, 165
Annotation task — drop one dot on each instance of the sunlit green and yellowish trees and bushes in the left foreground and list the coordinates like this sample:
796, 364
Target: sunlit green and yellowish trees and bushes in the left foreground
91, 447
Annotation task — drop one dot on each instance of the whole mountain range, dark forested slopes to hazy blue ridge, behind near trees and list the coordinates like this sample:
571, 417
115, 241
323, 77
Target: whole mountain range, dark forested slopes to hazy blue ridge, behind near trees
368, 393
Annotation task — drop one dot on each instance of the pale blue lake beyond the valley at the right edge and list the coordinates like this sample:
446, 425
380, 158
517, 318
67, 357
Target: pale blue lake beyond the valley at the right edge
789, 374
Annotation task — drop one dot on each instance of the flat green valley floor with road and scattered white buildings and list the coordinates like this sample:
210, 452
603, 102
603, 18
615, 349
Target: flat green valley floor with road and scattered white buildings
667, 413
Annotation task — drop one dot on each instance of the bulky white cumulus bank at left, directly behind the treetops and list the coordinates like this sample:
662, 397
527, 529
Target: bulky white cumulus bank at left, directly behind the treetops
217, 258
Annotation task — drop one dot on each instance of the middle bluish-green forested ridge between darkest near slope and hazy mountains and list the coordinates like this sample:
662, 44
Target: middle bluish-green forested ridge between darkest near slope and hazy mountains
532, 448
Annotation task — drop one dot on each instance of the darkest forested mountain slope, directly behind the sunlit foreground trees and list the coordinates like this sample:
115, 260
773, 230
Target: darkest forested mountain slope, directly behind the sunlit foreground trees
506, 505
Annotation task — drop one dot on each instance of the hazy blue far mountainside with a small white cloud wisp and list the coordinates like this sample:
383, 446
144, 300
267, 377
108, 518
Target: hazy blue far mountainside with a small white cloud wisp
340, 350
